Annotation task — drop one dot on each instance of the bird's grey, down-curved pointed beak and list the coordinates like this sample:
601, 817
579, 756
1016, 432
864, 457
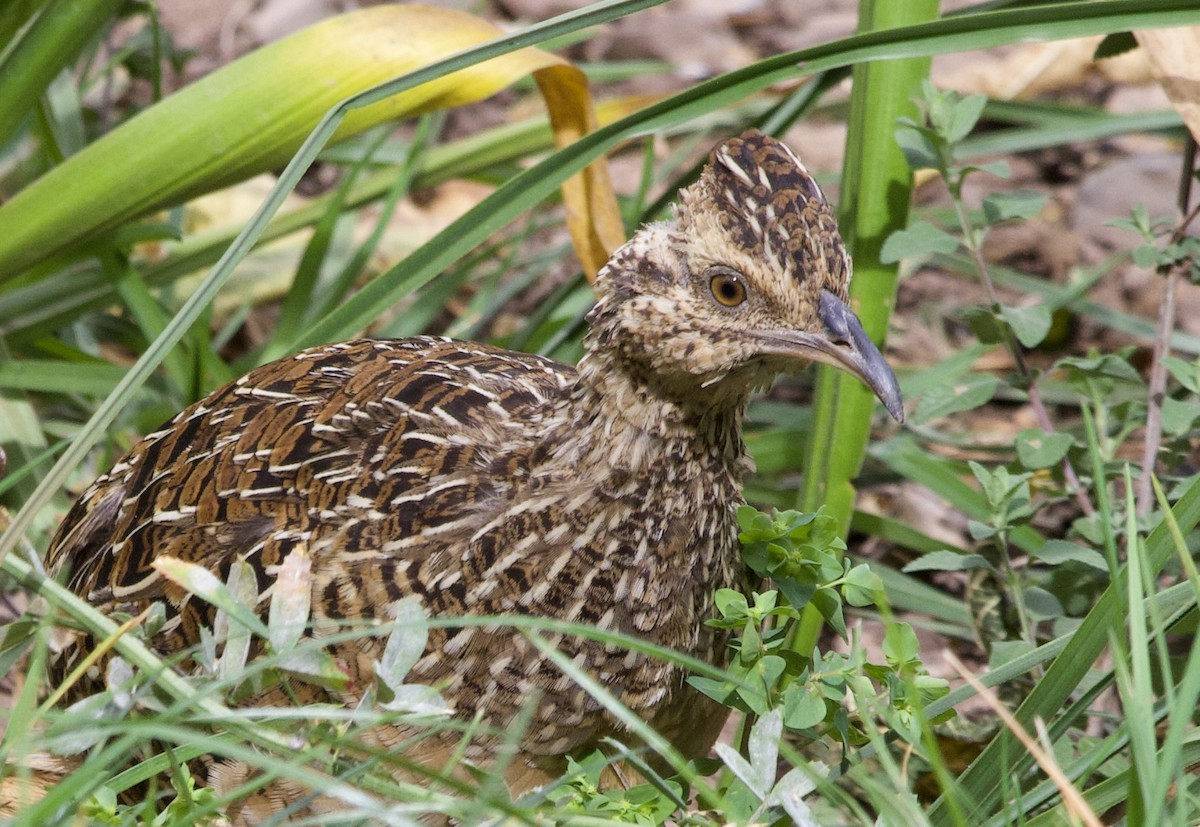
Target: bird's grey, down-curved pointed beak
845, 346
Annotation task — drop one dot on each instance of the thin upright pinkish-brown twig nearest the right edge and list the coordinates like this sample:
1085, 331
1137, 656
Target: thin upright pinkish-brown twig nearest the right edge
1157, 389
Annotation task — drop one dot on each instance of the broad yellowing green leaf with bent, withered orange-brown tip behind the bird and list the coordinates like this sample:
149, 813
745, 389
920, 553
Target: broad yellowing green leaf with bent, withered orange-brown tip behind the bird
253, 116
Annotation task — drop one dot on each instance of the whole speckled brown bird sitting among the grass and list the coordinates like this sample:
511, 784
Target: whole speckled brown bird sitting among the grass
484, 482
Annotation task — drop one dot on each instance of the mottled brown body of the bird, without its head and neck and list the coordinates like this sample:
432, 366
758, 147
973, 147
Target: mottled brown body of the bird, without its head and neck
454, 472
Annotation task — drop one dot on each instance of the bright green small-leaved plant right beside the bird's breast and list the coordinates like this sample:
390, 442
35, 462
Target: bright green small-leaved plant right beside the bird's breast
800, 555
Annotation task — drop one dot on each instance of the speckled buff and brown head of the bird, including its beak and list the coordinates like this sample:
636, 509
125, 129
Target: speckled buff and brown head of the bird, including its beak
748, 281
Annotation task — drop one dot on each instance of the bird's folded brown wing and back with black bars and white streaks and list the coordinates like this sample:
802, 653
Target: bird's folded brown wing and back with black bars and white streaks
364, 446
